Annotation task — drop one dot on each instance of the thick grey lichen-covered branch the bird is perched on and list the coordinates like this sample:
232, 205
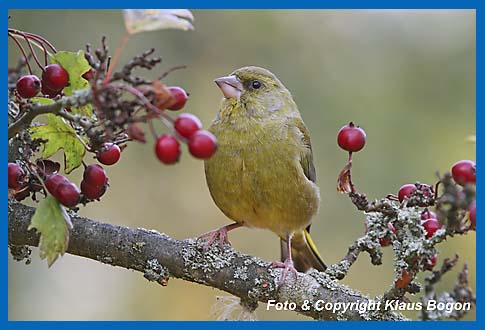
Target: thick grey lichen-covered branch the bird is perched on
159, 256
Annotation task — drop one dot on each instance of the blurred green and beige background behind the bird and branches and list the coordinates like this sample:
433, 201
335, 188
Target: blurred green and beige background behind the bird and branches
406, 76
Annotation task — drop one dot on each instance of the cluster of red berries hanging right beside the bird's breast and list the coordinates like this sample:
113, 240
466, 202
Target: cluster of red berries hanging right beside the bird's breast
202, 144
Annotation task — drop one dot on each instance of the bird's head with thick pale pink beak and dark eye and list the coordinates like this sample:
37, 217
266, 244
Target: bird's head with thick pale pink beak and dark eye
254, 88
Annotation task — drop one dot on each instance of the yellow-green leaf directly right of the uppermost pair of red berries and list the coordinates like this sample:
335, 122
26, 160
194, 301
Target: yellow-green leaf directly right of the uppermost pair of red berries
76, 65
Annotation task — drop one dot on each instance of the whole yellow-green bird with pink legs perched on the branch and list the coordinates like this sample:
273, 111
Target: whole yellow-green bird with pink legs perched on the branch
262, 174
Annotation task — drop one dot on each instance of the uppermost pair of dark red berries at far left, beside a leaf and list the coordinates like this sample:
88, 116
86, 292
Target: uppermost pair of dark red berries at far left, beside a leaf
54, 79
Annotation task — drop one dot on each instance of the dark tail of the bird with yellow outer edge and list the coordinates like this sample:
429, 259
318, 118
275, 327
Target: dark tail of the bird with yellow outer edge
304, 252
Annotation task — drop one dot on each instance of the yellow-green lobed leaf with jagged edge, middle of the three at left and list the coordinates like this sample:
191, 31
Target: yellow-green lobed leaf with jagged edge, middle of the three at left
59, 135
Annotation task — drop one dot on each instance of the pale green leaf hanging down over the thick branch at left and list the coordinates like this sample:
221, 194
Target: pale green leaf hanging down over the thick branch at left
53, 223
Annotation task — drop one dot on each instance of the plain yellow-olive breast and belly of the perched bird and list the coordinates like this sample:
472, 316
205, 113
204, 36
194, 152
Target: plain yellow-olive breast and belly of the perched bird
255, 177
